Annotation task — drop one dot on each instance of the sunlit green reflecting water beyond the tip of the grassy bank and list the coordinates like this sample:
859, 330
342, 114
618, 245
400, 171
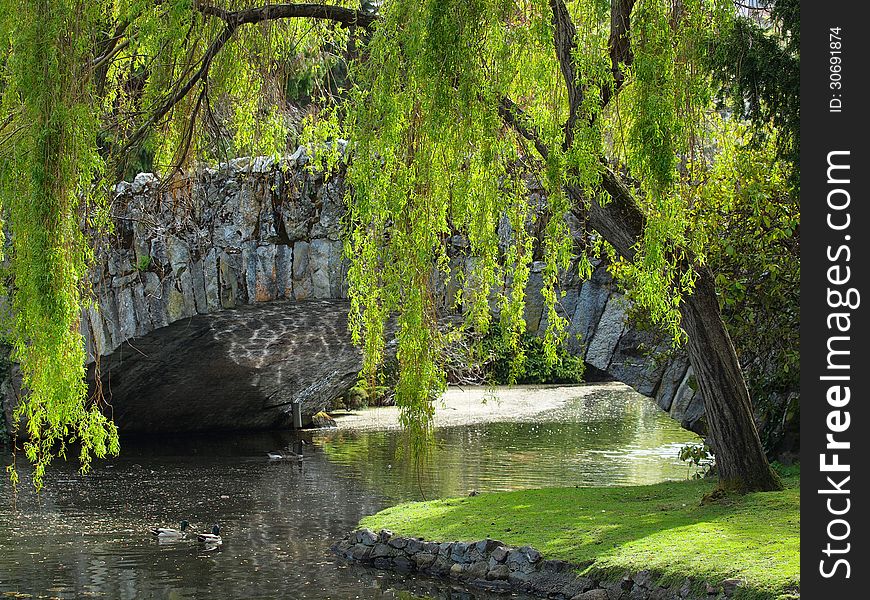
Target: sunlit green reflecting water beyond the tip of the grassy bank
614, 437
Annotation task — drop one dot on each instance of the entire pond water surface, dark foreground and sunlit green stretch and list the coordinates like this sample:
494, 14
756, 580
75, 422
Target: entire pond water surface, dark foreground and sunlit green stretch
88, 536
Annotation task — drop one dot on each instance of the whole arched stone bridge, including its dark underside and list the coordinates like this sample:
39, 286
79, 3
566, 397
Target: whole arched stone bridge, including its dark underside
221, 302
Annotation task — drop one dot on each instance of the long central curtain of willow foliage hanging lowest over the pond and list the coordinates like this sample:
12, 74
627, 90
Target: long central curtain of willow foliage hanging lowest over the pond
429, 157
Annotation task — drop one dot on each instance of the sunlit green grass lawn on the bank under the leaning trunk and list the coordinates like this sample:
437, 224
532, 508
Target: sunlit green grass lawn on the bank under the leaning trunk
663, 528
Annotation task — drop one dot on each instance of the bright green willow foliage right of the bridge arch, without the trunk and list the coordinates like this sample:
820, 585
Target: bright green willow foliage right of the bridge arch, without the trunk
431, 155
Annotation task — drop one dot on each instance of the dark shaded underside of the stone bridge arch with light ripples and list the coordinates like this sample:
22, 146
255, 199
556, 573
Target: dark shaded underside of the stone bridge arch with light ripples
234, 369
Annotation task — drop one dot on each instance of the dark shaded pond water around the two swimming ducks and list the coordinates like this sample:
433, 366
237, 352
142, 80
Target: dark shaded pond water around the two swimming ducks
89, 535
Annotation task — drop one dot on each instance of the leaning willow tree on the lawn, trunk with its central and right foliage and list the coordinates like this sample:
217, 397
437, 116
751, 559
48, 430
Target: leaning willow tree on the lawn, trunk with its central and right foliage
609, 106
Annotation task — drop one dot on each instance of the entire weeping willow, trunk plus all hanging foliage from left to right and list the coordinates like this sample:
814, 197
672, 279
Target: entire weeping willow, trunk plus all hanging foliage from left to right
453, 108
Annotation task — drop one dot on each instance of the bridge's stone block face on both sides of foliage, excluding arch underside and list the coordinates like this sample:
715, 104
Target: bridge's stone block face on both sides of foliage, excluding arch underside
257, 230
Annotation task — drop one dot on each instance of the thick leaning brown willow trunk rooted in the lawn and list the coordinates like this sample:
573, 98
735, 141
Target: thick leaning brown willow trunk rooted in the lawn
740, 457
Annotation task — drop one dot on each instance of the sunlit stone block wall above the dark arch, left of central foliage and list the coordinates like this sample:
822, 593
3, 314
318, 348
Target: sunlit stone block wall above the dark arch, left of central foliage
253, 230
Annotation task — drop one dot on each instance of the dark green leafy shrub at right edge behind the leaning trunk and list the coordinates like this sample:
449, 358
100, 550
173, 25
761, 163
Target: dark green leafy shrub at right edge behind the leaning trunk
757, 265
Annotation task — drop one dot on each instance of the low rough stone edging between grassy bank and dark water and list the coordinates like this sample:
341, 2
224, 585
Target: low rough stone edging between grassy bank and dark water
494, 566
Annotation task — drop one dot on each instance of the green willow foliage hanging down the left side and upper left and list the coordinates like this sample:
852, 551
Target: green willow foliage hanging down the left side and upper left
80, 83
